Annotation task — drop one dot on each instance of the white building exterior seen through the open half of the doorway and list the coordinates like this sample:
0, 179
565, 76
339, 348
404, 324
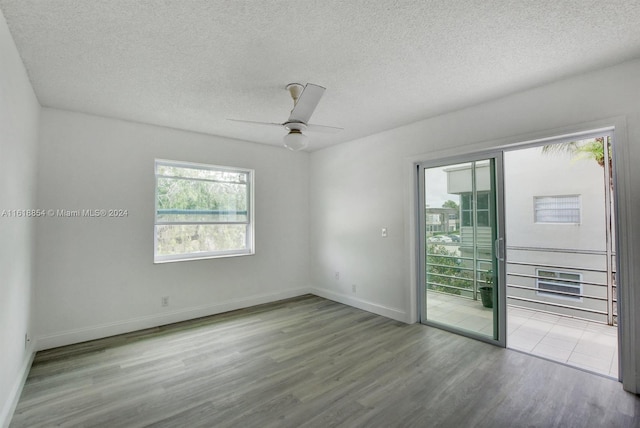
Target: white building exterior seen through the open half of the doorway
573, 248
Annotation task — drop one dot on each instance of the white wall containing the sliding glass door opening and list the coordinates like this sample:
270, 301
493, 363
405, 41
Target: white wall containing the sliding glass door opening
359, 187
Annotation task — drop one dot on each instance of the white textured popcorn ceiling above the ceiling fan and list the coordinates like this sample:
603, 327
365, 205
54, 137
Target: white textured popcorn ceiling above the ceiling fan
191, 64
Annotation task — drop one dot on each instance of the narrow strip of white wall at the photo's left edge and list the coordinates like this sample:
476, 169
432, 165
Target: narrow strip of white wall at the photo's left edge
19, 115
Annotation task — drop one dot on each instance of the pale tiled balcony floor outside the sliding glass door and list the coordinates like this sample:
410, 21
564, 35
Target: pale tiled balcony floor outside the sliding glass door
588, 345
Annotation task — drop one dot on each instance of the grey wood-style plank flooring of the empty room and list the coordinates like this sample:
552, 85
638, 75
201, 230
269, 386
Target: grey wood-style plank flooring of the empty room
310, 362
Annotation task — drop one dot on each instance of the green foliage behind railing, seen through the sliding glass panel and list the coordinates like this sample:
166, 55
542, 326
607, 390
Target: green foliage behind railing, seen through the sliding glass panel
445, 270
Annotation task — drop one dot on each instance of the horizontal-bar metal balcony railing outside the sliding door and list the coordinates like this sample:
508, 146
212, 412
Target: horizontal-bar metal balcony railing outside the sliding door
595, 301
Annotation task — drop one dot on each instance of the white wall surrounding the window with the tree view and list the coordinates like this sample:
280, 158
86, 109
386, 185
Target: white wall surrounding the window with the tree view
96, 276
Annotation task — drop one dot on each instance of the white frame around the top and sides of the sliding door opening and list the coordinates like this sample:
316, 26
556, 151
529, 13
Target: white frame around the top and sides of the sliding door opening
629, 297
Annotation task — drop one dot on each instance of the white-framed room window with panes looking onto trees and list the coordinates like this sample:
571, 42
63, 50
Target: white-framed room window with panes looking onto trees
202, 211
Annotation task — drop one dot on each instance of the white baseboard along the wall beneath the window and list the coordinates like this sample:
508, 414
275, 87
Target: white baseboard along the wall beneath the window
112, 329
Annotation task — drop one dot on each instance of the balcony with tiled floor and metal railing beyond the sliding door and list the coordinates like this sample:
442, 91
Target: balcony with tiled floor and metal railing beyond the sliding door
561, 303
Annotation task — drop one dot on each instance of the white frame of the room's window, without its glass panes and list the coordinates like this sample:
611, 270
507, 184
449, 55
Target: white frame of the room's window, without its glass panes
249, 248
